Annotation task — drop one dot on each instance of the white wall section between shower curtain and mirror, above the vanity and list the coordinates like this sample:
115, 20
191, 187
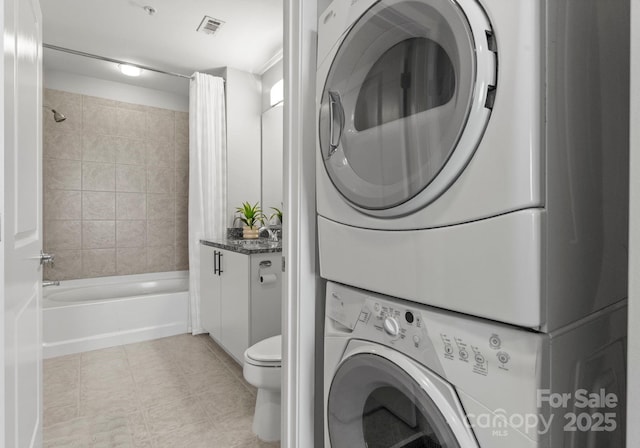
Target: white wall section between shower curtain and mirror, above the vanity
244, 111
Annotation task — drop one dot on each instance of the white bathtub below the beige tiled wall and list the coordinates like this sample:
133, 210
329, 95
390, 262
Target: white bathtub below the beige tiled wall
89, 314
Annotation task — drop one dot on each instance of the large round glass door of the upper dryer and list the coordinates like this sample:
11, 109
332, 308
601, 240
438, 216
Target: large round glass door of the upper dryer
406, 101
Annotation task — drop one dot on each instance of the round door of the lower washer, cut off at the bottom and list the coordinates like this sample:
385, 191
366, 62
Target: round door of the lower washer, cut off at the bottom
377, 402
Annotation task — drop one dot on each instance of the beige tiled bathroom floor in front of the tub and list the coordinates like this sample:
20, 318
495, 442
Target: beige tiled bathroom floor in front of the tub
177, 392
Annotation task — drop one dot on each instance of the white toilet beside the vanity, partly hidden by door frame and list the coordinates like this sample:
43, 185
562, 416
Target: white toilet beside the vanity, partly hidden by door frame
263, 369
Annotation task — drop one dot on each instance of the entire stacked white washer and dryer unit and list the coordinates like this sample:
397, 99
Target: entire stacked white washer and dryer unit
472, 200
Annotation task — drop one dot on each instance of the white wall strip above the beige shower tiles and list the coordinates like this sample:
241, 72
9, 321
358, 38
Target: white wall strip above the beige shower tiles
85, 85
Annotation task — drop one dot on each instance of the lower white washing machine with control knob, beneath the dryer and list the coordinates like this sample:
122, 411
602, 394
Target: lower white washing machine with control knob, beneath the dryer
400, 374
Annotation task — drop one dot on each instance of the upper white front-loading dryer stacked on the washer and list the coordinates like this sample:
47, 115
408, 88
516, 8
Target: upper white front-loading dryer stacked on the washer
472, 154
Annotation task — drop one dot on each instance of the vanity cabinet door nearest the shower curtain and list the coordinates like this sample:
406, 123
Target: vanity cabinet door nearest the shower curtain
209, 292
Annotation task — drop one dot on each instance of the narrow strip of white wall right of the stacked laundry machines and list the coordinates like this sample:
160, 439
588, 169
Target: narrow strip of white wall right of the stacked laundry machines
633, 385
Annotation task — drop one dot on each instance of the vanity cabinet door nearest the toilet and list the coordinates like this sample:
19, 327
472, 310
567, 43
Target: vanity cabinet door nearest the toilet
234, 305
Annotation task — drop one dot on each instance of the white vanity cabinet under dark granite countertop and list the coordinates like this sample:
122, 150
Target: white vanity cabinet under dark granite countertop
237, 309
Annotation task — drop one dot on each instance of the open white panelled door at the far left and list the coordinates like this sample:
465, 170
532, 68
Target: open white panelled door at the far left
22, 223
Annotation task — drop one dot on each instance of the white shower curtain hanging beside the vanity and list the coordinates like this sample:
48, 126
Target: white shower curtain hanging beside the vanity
207, 176
